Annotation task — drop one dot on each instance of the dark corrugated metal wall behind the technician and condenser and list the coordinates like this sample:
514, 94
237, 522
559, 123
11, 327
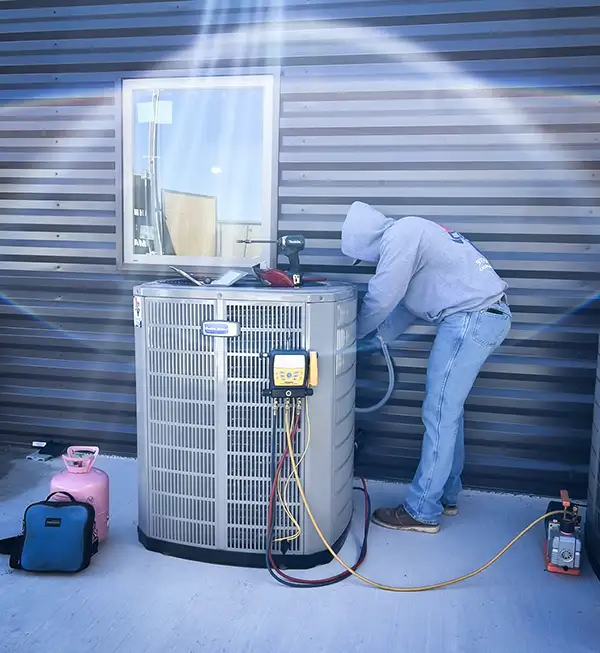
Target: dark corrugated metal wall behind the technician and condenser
486, 119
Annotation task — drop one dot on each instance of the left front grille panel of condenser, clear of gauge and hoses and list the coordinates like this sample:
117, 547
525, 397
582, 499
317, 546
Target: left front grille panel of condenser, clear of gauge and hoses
181, 422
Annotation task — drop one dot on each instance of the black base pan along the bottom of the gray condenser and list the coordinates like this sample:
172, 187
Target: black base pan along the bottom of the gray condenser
240, 559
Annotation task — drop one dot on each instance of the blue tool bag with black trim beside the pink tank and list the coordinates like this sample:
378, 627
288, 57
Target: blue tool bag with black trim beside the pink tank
57, 537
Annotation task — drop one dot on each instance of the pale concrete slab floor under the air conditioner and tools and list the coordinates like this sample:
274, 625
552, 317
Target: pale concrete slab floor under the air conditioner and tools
131, 600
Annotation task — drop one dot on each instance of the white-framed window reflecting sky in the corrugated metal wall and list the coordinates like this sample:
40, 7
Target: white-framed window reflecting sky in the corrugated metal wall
198, 170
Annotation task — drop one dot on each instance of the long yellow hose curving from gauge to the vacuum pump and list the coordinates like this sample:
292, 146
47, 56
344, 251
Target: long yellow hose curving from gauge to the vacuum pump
390, 588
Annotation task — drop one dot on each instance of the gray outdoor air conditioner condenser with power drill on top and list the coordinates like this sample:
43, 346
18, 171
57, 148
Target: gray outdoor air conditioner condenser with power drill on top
204, 427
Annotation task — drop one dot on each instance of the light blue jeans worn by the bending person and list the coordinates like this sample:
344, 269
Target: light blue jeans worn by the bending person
463, 343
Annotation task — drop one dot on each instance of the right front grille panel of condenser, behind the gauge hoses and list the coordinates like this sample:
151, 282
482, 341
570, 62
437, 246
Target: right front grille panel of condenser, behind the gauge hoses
249, 423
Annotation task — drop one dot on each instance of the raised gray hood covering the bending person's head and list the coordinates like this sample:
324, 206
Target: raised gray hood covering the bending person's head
362, 231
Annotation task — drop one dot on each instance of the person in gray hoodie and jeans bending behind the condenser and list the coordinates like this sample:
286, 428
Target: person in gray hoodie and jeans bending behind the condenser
427, 271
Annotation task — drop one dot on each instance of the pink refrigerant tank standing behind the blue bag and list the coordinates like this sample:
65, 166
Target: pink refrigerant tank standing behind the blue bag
86, 483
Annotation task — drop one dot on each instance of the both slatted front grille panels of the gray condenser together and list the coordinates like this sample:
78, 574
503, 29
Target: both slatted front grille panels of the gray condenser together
188, 428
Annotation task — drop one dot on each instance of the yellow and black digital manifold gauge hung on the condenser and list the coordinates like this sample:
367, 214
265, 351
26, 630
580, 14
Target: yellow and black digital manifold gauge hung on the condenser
292, 373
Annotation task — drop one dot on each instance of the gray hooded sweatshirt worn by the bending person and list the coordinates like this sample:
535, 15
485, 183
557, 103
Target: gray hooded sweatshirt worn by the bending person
424, 270
